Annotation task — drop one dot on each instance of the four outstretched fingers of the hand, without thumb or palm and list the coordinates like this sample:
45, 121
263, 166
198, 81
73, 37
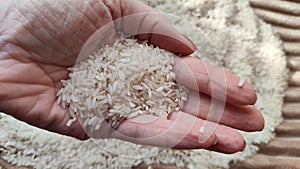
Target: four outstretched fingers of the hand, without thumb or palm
184, 126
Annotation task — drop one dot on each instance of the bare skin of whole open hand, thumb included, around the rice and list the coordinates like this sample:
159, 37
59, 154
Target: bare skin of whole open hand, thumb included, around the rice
39, 40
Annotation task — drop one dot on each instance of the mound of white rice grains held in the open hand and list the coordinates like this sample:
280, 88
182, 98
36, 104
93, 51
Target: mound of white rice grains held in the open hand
120, 82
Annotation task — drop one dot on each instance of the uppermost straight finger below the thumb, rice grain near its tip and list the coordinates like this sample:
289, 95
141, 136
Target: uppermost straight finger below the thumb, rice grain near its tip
216, 82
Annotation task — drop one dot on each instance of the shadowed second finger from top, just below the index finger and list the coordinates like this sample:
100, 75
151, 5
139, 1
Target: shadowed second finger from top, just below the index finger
244, 118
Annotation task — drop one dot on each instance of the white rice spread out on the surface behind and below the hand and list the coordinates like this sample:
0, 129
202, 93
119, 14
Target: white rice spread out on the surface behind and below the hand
248, 48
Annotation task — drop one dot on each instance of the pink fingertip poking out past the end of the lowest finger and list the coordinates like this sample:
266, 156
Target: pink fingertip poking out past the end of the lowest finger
229, 141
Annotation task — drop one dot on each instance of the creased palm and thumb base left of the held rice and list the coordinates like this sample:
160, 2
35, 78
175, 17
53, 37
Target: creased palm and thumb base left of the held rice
37, 54
